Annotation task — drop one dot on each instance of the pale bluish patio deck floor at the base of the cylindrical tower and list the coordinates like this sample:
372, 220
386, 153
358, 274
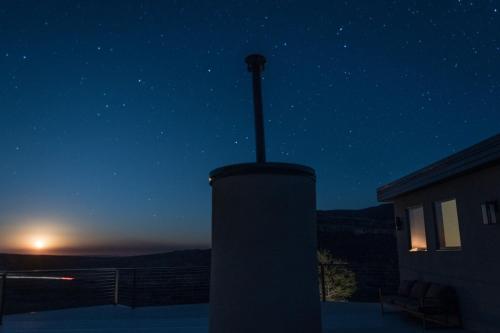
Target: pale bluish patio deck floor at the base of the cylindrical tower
337, 318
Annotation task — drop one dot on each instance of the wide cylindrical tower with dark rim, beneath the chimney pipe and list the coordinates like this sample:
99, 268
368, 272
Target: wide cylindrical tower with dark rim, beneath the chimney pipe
264, 267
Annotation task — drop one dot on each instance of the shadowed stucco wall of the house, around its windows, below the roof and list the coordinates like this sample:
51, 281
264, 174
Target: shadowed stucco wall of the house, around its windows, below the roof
474, 270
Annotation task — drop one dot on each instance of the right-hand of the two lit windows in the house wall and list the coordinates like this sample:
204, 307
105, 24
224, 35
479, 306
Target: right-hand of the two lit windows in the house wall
447, 224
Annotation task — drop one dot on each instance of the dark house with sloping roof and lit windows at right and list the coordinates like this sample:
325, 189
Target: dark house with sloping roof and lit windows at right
448, 227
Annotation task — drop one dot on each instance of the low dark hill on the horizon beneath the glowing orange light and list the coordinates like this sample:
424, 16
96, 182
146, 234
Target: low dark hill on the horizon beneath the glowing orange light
175, 258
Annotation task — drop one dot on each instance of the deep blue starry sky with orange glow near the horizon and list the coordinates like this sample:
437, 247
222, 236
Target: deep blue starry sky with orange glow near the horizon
112, 113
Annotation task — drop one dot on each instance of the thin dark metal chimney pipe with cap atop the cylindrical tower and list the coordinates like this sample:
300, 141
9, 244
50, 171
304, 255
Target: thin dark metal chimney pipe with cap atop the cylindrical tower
255, 64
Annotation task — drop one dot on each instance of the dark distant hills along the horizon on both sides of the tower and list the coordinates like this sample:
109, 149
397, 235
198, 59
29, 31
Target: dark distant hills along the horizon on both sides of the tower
346, 233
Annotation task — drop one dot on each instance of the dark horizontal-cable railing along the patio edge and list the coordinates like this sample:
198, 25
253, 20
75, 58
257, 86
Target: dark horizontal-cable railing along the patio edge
39, 290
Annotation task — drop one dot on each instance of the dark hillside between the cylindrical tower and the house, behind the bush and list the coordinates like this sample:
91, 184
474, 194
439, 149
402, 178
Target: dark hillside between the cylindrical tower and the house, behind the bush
366, 240
